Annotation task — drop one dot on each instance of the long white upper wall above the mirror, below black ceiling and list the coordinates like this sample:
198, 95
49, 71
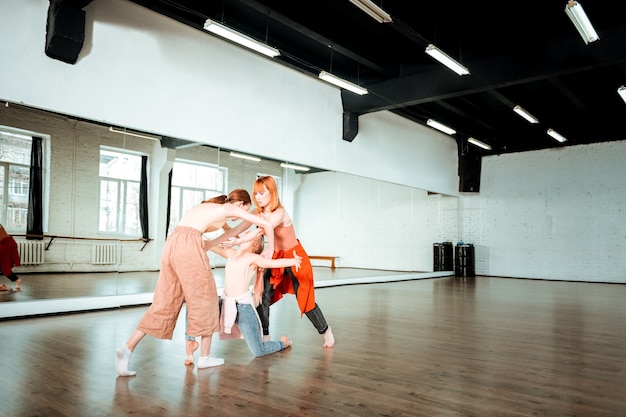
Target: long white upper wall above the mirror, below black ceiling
143, 71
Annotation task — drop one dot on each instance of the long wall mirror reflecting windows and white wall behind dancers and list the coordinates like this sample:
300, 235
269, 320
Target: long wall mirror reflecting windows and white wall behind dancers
94, 252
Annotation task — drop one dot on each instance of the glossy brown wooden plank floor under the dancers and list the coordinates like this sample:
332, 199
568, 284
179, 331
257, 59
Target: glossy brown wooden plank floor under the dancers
446, 346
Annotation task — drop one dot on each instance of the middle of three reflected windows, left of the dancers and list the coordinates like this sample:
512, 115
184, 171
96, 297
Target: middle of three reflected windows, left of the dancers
120, 177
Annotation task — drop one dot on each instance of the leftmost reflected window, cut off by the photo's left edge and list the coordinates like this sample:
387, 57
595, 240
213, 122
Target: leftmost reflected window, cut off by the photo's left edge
14, 179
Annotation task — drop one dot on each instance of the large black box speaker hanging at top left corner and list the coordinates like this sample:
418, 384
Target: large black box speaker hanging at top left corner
65, 31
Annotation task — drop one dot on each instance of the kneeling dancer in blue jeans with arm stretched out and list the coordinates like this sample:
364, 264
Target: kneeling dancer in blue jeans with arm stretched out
239, 318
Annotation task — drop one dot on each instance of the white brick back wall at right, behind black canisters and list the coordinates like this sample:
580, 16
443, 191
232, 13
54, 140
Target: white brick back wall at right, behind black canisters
555, 214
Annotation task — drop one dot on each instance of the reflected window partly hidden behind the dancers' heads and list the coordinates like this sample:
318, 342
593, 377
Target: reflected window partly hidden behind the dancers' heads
193, 182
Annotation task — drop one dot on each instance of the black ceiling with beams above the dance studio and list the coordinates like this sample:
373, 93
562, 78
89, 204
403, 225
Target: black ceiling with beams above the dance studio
519, 53
